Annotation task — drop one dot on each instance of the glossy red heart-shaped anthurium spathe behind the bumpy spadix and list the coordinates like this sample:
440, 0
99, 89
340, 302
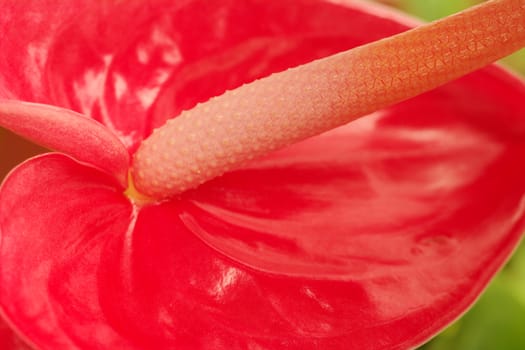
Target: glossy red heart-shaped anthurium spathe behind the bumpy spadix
374, 236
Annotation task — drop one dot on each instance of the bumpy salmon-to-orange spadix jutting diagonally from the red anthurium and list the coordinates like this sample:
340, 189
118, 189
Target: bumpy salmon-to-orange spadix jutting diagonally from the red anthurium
287, 107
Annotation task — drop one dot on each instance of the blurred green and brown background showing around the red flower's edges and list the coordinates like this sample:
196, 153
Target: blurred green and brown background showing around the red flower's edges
497, 320
